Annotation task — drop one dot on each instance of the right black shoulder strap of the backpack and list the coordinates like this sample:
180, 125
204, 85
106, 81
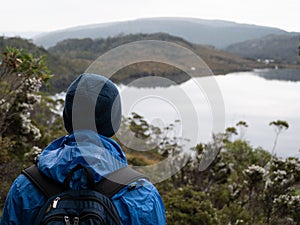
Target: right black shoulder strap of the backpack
117, 180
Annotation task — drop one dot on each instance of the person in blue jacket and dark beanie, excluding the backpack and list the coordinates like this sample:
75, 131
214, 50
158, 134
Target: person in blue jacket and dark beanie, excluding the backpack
92, 115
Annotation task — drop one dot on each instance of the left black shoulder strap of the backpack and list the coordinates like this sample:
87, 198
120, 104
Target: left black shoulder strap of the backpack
48, 186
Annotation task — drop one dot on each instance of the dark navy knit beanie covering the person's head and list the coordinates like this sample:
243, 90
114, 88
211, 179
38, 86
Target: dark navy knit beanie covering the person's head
92, 102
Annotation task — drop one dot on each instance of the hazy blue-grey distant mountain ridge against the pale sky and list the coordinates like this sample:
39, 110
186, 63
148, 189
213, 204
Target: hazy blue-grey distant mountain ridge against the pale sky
216, 33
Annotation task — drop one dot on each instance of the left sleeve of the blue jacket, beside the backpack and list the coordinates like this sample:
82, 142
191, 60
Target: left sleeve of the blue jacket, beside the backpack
22, 203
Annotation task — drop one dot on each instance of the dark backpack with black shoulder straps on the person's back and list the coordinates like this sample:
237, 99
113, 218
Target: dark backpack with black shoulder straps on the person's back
80, 207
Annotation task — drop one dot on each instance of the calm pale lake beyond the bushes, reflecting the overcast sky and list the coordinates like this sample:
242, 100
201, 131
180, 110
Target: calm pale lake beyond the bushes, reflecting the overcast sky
257, 97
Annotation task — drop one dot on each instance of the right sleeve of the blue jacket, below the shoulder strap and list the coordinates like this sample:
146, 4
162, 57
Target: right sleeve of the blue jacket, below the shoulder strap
141, 205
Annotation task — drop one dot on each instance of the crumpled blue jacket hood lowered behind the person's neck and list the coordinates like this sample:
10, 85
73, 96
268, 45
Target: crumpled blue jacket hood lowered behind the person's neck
100, 154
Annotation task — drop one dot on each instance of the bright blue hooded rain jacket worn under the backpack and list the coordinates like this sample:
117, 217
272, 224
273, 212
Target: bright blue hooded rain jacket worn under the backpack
99, 153
